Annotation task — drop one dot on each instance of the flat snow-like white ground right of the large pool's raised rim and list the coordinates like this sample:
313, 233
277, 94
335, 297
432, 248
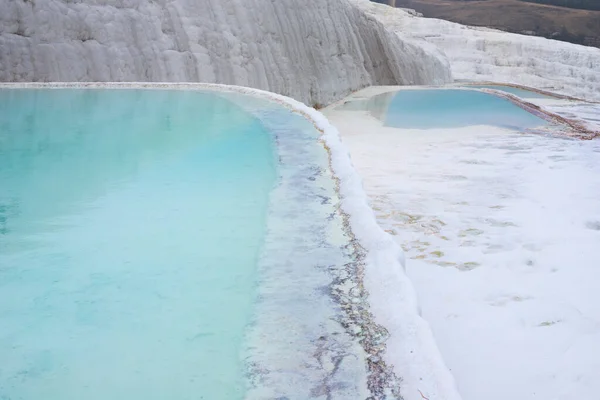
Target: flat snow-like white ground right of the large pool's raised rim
501, 231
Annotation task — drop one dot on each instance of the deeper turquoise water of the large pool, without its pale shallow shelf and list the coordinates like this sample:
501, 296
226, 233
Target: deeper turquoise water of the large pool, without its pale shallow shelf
130, 226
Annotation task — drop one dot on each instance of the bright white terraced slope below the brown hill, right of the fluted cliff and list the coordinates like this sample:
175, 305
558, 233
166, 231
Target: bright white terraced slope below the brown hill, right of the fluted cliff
482, 54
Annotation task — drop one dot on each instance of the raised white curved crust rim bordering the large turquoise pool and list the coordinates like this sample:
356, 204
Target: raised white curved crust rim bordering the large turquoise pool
391, 296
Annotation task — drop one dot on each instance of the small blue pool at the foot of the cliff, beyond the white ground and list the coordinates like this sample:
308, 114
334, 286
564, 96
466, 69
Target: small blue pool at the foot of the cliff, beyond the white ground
449, 108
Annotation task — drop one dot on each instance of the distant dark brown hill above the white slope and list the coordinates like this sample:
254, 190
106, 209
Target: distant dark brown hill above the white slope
574, 21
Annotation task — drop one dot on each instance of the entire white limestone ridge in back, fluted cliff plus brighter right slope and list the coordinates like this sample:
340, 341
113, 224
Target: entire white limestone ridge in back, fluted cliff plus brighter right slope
316, 53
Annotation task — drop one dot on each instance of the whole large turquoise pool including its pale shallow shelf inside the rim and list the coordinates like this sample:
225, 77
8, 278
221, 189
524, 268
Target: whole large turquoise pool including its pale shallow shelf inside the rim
145, 251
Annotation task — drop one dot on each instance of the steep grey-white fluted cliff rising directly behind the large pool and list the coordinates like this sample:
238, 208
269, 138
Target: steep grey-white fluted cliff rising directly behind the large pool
315, 53
